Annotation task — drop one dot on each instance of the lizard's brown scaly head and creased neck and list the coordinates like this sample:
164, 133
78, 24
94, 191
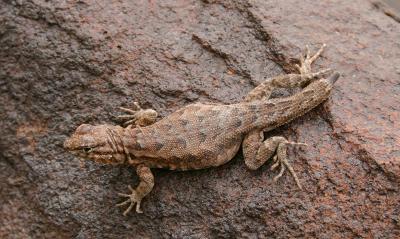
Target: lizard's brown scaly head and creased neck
100, 143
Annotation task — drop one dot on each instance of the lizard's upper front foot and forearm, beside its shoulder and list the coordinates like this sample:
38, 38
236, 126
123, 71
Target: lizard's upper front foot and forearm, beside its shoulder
138, 117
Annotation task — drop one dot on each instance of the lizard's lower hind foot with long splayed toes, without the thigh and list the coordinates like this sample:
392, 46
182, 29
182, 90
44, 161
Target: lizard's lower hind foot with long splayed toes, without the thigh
280, 160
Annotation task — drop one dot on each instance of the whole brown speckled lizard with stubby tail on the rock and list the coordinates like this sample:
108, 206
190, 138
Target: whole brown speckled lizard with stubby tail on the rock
204, 135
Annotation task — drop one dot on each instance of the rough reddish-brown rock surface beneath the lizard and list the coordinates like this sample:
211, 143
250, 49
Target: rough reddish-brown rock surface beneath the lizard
64, 63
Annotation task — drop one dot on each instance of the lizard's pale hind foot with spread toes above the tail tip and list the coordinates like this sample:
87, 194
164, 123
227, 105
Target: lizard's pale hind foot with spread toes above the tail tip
305, 63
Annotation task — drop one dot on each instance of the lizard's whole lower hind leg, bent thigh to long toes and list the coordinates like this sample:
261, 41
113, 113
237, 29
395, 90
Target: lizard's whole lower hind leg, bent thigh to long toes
256, 152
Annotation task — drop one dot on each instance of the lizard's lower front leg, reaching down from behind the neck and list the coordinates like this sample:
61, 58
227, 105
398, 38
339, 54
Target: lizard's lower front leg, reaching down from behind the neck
145, 186
